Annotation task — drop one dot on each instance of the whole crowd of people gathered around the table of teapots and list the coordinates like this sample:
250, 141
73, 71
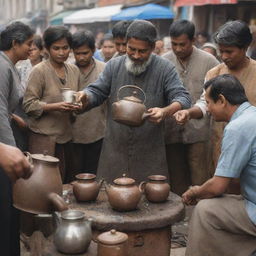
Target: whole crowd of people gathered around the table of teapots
199, 132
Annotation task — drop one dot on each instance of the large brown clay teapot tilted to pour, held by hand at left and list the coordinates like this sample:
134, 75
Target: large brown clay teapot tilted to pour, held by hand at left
41, 192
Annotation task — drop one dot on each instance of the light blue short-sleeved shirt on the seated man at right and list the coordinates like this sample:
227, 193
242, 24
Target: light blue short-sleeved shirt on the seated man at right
238, 154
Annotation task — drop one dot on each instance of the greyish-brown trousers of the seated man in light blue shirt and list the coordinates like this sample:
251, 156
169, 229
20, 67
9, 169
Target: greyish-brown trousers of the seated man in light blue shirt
221, 227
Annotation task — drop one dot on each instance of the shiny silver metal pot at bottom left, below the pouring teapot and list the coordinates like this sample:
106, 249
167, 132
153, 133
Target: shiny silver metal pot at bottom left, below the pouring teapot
73, 234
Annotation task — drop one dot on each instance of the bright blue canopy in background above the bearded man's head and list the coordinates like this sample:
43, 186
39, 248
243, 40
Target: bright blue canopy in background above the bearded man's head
144, 12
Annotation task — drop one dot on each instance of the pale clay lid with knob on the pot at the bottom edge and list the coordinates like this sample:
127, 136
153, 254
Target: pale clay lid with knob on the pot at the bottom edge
112, 237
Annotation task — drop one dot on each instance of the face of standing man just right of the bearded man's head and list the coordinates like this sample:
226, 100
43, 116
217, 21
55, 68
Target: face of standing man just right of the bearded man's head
182, 46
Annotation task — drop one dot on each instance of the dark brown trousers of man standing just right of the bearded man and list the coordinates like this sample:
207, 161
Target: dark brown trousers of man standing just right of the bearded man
188, 164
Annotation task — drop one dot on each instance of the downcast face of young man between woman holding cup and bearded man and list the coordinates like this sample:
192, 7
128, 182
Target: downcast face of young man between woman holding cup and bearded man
83, 55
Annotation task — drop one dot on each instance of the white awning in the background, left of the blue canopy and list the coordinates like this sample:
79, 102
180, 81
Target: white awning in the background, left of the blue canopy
101, 14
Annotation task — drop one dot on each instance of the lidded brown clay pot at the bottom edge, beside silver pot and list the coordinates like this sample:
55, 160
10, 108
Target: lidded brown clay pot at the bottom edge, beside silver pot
112, 243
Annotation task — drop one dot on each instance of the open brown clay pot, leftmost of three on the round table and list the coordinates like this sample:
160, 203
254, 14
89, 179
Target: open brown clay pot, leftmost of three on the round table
86, 188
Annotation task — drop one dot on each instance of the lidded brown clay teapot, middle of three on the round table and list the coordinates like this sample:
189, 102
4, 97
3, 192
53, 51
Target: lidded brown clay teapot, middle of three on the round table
124, 194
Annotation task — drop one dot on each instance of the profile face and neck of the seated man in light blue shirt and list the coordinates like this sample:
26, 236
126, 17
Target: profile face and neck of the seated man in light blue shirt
215, 108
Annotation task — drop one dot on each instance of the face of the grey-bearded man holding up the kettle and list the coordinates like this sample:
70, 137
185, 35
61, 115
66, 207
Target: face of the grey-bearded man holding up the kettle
139, 51
